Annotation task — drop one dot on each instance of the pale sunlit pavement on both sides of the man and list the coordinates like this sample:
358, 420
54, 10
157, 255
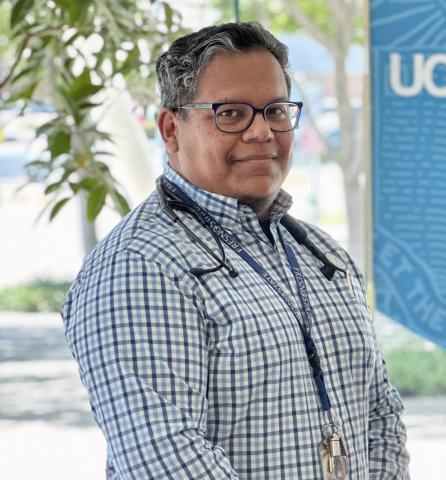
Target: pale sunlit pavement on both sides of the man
47, 431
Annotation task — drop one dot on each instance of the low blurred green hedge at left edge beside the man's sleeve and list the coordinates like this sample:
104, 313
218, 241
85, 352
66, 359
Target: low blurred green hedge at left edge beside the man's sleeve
38, 296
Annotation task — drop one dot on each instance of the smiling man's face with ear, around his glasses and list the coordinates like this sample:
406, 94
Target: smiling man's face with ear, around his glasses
250, 165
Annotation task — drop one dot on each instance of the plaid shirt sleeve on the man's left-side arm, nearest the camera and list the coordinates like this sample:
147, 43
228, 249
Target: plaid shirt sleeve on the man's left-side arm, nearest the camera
140, 340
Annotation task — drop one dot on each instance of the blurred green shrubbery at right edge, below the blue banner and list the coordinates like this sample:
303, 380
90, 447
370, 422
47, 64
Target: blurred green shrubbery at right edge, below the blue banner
415, 370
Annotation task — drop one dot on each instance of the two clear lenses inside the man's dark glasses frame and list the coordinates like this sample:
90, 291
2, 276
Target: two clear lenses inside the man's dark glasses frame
236, 117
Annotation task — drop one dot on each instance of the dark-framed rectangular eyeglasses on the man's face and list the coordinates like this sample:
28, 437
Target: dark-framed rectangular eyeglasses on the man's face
237, 117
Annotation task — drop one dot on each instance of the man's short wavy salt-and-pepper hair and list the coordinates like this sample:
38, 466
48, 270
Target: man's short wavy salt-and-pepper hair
179, 68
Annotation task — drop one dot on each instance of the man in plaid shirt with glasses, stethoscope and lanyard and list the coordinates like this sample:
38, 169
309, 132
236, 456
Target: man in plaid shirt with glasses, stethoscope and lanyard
212, 343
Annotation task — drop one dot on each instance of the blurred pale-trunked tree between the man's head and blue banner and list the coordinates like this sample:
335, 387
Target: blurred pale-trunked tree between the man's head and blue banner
336, 24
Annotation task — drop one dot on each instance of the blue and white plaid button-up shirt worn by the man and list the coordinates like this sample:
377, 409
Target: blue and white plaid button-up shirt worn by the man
207, 378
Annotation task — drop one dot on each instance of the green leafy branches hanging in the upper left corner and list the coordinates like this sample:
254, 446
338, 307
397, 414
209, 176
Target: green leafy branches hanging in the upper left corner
69, 54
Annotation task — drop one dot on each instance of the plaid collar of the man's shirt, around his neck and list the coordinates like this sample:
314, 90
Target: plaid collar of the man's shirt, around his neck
228, 211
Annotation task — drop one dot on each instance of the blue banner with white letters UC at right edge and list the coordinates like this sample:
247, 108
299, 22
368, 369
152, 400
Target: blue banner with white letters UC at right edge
408, 74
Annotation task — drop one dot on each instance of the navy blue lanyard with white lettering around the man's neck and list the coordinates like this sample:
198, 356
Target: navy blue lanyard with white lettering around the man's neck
234, 244
